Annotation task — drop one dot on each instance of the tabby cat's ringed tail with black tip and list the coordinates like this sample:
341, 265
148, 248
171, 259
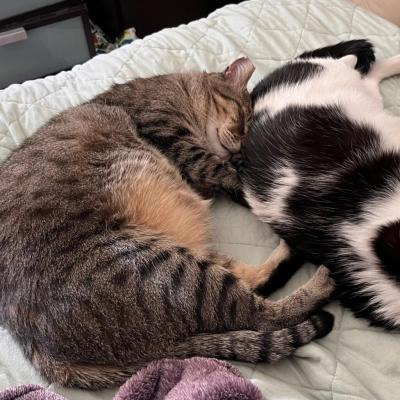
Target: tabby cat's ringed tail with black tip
250, 346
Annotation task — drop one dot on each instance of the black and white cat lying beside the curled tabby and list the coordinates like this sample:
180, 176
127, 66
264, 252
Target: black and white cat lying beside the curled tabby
321, 164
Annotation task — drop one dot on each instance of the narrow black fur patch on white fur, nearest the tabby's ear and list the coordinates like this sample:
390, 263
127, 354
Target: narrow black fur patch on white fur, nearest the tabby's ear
289, 74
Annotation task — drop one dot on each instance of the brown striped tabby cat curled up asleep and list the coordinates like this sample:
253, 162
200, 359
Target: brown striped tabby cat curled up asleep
106, 261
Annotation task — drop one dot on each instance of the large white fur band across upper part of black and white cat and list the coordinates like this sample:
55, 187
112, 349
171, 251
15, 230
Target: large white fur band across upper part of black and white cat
340, 85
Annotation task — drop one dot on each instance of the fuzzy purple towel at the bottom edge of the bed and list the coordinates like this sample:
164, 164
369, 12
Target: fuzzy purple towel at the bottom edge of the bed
169, 379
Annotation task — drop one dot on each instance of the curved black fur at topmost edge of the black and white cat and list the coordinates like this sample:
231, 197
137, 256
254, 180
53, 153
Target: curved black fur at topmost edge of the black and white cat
361, 48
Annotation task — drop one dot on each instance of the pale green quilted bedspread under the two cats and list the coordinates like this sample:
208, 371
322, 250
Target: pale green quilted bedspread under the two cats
355, 361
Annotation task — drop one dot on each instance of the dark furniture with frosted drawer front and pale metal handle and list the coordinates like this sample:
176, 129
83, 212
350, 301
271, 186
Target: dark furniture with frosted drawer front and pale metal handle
42, 37
